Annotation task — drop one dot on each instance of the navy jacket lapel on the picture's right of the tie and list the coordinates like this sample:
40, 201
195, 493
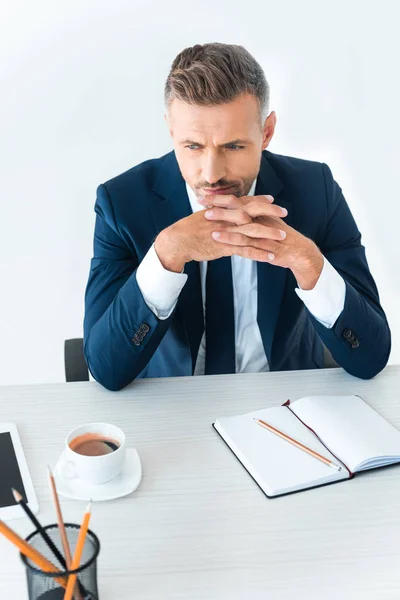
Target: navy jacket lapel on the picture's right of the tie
270, 278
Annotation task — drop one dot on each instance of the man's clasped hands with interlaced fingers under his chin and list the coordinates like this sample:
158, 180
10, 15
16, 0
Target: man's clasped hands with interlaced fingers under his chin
251, 227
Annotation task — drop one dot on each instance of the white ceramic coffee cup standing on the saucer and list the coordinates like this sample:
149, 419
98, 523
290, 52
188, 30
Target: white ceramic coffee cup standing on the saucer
94, 469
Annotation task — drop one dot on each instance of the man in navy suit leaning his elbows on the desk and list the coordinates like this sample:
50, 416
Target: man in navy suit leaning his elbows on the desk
221, 257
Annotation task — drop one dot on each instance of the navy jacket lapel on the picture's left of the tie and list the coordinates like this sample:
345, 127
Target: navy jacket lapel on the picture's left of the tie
171, 207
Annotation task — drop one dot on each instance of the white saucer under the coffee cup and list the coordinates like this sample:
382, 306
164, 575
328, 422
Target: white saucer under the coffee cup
122, 485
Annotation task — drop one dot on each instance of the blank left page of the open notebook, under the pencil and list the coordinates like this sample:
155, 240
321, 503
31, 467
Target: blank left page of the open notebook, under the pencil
275, 464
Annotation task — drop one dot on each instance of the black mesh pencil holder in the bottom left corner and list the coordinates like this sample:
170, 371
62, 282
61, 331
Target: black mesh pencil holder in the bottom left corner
51, 586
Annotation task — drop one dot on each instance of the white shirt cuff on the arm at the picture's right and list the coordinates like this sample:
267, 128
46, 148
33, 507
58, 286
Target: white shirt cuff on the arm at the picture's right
326, 300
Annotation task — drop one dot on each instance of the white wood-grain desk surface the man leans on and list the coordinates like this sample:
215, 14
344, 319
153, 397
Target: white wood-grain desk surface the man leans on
198, 526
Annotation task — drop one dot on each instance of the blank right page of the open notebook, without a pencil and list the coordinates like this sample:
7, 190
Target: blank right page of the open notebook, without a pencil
355, 432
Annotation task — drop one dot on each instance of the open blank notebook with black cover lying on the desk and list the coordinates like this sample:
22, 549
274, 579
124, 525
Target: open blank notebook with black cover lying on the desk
345, 430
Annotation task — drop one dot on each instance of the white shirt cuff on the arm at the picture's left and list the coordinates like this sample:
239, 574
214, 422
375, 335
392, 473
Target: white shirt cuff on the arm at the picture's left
160, 288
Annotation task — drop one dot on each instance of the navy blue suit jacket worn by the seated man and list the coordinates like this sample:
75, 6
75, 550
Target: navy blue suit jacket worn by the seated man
123, 339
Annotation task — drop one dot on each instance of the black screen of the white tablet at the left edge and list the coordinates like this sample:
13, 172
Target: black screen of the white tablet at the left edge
10, 476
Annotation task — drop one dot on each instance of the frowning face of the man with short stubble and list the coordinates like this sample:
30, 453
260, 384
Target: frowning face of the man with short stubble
219, 146
